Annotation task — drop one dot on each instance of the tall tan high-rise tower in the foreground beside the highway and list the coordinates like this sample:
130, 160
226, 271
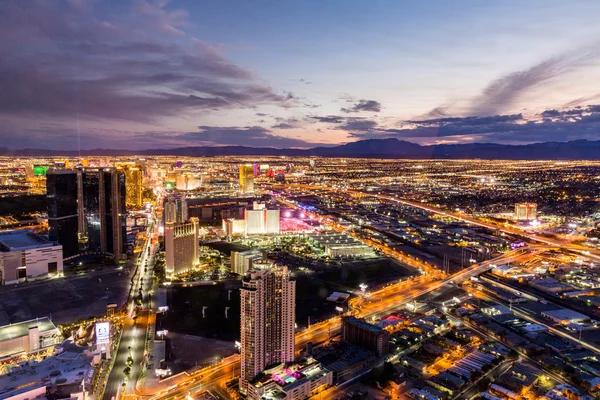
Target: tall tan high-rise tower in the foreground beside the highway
268, 313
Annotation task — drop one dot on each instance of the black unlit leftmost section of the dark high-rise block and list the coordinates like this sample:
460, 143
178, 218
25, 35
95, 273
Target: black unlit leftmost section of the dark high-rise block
62, 195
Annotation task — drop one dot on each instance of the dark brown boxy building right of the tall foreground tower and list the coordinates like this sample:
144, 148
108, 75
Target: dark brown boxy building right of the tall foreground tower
359, 332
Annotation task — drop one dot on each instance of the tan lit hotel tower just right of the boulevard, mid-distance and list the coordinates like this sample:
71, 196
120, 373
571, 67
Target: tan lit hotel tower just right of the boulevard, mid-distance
181, 246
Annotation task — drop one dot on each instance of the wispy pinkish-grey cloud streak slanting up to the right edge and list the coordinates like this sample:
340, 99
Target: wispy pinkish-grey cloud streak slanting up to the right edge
501, 93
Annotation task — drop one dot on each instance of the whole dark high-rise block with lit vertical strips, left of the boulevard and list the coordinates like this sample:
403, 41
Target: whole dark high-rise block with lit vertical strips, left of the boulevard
95, 199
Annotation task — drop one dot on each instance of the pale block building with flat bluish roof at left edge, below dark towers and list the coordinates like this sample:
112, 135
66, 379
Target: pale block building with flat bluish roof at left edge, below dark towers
26, 256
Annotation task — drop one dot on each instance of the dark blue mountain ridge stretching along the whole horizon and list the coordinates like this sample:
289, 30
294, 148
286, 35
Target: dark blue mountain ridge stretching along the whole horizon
370, 148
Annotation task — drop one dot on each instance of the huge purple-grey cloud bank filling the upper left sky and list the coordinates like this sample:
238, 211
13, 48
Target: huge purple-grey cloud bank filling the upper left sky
60, 60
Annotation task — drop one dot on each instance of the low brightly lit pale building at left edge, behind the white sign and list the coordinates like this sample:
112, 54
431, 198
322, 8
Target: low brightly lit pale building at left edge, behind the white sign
28, 337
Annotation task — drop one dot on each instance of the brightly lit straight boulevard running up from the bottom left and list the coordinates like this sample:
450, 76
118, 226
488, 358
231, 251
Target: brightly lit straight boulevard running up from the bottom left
133, 339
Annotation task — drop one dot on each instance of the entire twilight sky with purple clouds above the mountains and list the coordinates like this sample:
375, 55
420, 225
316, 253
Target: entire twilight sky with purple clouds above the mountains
141, 74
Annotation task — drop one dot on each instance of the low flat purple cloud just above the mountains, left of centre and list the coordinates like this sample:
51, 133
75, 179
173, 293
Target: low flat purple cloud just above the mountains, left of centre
254, 136
